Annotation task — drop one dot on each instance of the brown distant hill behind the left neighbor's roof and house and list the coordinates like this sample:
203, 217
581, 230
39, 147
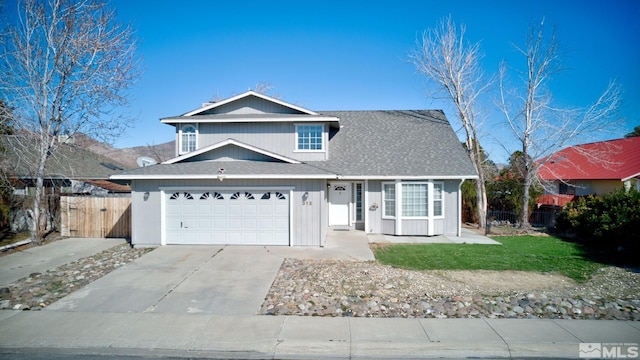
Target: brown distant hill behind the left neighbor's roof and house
127, 156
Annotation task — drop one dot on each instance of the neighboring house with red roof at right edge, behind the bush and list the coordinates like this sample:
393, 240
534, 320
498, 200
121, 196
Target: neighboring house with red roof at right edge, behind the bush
590, 169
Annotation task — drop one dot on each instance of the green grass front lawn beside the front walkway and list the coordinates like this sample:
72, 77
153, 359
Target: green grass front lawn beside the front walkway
524, 253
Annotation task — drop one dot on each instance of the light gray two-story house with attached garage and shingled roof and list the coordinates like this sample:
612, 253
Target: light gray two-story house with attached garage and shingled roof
253, 169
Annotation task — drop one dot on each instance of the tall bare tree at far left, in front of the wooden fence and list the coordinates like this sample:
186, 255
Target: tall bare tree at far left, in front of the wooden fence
65, 67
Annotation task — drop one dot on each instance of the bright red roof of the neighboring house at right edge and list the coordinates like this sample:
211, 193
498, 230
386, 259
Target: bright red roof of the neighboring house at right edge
606, 160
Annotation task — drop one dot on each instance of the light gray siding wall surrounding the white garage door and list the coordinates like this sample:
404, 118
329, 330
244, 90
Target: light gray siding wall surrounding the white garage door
307, 217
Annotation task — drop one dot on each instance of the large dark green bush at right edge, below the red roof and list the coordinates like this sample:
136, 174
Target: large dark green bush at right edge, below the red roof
609, 221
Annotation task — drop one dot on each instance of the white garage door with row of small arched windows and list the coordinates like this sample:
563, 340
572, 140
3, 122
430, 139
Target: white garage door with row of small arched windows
240, 217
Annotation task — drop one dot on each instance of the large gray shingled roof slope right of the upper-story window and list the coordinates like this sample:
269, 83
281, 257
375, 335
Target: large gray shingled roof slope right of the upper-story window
396, 143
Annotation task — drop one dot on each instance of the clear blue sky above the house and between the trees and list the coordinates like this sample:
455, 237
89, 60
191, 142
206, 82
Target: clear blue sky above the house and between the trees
352, 55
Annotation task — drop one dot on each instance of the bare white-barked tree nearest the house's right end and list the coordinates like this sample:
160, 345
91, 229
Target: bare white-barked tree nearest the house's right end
445, 58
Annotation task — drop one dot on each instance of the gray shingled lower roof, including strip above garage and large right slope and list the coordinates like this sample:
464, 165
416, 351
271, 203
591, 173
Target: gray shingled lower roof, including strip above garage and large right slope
407, 143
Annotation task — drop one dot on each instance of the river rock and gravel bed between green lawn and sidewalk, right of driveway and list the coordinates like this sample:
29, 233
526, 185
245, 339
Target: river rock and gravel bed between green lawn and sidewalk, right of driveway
368, 289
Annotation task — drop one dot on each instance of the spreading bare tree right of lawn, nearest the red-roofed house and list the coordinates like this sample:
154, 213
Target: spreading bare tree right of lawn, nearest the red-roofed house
540, 128
